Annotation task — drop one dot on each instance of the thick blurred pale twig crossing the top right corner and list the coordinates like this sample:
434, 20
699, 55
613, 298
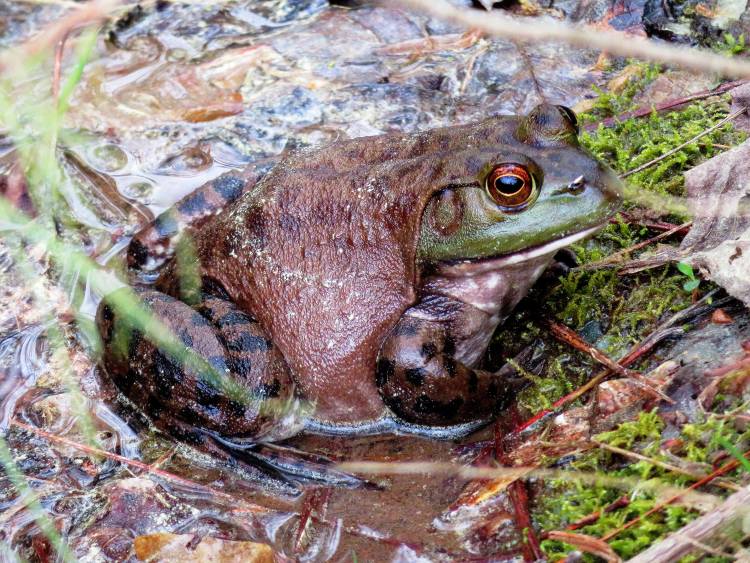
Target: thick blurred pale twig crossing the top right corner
613, 42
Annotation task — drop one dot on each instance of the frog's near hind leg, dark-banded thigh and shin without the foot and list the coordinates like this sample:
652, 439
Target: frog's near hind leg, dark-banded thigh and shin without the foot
211, 385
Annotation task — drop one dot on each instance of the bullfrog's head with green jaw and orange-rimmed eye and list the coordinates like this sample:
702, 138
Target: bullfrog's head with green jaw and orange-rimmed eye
524, 192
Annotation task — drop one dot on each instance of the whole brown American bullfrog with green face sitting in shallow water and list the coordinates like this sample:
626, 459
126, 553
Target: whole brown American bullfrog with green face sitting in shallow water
364, 278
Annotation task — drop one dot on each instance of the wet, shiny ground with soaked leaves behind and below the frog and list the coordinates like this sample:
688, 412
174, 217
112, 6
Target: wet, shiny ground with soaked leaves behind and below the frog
176, 95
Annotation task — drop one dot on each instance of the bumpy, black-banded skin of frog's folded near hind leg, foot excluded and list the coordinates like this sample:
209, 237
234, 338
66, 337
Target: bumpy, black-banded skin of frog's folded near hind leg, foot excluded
229, 340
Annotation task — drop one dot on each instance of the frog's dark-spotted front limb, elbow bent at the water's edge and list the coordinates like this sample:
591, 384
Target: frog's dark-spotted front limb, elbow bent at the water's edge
421, 381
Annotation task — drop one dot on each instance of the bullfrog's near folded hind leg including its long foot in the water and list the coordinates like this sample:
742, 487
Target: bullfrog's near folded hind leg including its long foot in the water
205, 413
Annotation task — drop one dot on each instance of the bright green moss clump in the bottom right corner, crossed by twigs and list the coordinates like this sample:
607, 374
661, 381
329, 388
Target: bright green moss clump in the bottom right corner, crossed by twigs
568, 501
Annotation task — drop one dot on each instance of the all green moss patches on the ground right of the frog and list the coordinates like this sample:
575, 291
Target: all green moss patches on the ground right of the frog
613, 312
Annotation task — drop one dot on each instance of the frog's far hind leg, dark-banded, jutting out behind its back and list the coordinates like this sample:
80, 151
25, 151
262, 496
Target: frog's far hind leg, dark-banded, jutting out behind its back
153, 245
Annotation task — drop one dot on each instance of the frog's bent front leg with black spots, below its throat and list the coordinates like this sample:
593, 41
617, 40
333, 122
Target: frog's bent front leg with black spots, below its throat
425, 370
